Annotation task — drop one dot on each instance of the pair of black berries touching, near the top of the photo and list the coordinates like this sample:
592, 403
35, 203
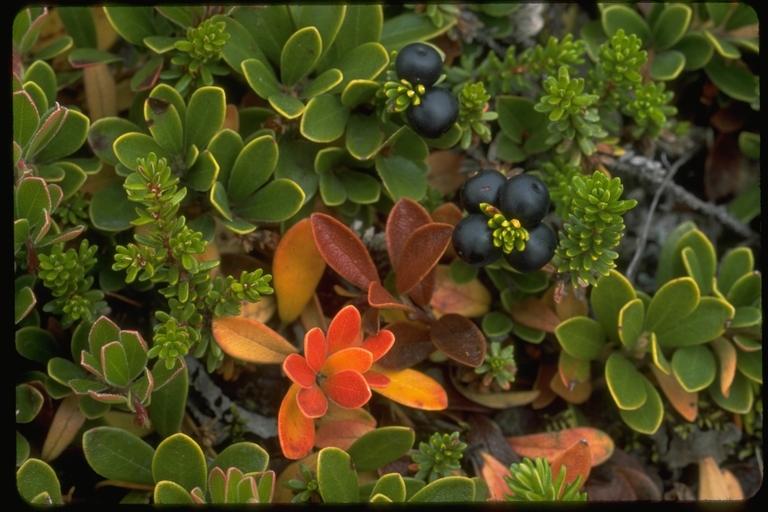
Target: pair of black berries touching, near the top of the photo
420, 64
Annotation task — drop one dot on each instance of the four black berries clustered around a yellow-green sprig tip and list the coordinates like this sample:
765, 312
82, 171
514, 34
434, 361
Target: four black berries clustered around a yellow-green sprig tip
487, 233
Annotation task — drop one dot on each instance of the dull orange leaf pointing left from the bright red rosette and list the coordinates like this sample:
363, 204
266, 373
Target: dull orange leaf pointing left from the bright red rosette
250, 341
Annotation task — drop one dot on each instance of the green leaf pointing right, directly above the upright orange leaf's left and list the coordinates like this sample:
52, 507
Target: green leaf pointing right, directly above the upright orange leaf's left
276, 201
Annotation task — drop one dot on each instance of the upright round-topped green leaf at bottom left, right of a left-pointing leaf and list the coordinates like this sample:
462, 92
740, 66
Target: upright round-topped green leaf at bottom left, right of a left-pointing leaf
179, 459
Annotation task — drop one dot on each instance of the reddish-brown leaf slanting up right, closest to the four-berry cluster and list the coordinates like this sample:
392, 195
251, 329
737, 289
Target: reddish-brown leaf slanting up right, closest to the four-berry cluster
421, 252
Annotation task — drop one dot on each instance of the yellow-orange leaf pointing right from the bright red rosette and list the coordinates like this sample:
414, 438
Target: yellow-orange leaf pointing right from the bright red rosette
414, 389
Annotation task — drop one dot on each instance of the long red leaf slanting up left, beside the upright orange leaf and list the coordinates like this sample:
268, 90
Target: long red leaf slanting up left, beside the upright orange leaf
343, 251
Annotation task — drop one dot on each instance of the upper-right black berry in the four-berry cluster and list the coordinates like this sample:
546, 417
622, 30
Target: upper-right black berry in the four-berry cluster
526, 198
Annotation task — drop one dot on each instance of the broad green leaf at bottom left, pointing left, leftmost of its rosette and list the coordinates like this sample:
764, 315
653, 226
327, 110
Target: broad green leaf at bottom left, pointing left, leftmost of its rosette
117, 454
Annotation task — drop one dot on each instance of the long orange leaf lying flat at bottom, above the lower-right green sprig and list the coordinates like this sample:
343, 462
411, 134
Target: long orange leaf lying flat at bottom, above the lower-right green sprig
551, 444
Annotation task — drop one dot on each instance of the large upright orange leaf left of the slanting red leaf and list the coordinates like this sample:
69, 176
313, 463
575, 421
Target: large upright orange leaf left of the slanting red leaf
296, 269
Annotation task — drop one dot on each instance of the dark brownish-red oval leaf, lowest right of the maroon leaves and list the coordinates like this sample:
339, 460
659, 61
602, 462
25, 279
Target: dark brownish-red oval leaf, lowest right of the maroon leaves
460, 339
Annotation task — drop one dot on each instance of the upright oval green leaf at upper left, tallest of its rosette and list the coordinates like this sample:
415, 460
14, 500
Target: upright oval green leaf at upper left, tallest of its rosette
205, 115
